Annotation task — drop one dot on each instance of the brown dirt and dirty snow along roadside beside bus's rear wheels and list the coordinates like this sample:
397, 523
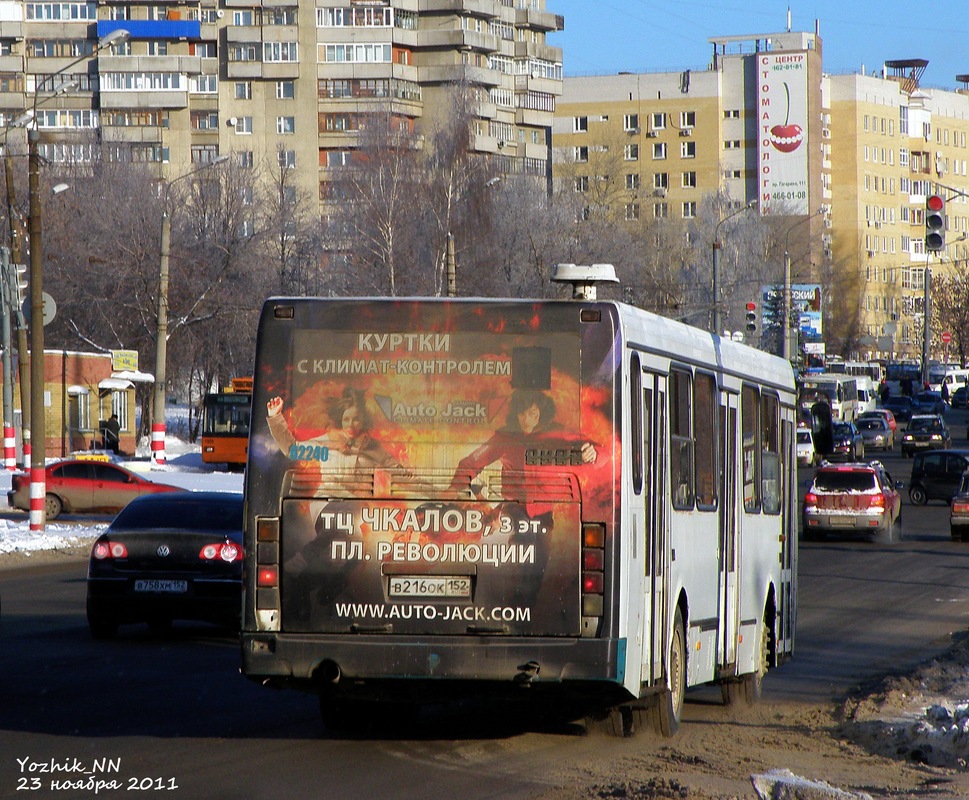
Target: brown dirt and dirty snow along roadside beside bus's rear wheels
900, 737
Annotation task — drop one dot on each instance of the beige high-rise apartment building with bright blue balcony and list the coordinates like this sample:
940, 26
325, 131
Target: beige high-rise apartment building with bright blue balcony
277, 83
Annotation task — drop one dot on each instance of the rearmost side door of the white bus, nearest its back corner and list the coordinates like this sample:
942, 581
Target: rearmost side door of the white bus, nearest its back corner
656, 529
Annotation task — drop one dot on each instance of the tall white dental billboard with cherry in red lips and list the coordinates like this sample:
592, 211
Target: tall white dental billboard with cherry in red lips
783, 136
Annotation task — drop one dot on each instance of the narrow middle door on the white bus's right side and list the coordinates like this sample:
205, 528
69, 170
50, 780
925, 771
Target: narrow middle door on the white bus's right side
728, 590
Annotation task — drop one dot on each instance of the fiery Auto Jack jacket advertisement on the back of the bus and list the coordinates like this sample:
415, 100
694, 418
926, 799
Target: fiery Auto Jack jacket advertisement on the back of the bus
434, 479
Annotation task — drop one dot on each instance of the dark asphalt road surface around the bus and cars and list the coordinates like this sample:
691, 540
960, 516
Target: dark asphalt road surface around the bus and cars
175, 717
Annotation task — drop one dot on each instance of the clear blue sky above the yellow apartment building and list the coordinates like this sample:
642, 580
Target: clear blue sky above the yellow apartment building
608, 36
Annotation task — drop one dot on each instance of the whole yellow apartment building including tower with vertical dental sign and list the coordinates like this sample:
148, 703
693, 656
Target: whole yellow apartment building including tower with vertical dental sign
849, 159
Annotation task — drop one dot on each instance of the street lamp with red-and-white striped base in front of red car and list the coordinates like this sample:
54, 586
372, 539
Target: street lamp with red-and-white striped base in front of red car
38, 452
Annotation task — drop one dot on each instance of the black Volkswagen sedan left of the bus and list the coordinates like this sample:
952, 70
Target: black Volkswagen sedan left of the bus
167, 557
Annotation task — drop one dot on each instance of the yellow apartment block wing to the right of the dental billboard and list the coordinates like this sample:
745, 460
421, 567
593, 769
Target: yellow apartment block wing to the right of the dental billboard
894, 144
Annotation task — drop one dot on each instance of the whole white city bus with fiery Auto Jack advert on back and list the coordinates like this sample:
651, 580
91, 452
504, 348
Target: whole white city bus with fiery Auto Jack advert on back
568, 500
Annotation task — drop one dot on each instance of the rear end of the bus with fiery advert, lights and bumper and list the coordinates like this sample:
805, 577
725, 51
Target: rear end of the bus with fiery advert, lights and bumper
431, 494
